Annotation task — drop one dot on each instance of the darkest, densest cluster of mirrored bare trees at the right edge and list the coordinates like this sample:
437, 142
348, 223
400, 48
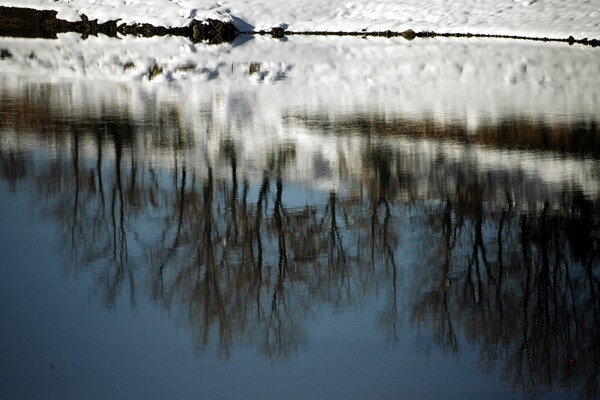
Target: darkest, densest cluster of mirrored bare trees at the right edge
531, 308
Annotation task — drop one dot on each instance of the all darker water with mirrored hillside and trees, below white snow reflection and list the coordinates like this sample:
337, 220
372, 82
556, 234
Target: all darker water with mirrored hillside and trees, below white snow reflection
366, 255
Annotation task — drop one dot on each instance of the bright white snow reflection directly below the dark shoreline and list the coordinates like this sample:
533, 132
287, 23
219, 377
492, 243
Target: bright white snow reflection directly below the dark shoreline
449, 79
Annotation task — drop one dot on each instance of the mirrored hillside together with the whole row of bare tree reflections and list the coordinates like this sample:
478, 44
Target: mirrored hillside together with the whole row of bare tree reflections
492, 235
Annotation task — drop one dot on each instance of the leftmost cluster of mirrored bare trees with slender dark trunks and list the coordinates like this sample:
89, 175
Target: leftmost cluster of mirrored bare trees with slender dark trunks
93, 204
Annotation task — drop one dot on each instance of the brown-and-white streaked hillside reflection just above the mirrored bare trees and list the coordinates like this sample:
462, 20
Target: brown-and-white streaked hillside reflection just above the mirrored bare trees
328, 148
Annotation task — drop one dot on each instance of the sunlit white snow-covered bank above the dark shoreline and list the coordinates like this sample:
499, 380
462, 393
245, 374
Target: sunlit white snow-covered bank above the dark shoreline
541, 18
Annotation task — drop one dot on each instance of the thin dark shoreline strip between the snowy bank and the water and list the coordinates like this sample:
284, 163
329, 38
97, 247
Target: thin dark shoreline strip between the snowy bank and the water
33, 23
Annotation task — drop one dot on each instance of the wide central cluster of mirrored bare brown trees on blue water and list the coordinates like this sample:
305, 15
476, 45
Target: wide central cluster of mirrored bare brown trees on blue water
234, 270
